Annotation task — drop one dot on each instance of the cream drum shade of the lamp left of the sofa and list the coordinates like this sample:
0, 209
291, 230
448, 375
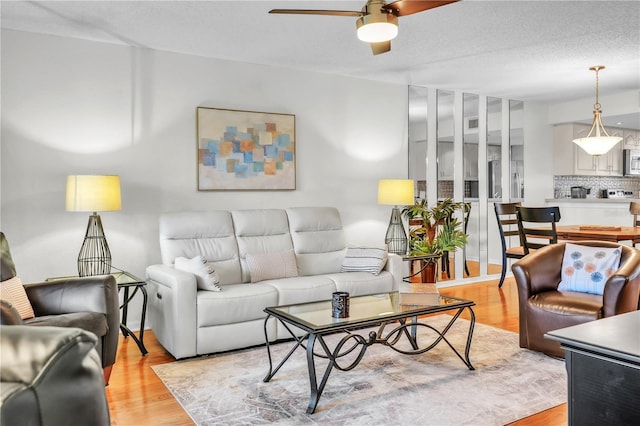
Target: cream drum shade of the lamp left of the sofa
93, 193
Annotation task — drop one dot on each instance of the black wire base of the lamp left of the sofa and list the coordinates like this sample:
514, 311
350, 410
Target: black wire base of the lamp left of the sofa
94, 257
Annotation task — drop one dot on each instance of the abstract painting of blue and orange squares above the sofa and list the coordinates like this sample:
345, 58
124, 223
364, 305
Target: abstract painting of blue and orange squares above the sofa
245, 150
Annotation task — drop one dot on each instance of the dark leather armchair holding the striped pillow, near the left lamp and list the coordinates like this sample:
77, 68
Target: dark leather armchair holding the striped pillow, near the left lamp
89, 303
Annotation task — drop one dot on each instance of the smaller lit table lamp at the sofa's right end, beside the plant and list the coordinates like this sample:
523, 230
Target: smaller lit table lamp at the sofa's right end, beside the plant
396, 192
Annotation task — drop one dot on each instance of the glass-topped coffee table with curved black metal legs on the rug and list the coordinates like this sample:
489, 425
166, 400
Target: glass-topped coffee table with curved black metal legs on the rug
397, 329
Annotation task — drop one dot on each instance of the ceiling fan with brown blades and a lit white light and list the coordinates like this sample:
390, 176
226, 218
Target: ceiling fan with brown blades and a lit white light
377, 22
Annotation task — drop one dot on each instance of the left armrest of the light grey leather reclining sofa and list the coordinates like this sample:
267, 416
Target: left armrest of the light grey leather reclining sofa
173, 309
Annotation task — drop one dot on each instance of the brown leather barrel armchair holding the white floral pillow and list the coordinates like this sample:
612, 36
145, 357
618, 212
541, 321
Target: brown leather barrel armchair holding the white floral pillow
543, 308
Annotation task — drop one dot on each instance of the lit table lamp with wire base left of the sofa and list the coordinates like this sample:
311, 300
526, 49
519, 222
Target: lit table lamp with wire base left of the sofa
93, 193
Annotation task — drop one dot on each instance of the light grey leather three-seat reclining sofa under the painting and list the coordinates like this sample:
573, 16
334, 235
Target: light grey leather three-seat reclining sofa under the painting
190, 322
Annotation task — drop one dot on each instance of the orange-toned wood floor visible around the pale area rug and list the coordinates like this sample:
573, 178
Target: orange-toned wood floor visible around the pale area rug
137, 397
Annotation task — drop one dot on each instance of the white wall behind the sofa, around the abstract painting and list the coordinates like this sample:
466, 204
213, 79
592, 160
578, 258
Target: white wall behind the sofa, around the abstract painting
80, 107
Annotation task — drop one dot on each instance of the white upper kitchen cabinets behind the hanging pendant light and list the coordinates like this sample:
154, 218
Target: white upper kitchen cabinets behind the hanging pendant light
570, 159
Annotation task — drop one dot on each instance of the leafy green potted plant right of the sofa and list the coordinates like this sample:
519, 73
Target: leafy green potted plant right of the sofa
434, 231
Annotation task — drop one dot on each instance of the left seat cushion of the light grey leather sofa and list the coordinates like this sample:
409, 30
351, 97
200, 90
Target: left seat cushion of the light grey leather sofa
236, 303
